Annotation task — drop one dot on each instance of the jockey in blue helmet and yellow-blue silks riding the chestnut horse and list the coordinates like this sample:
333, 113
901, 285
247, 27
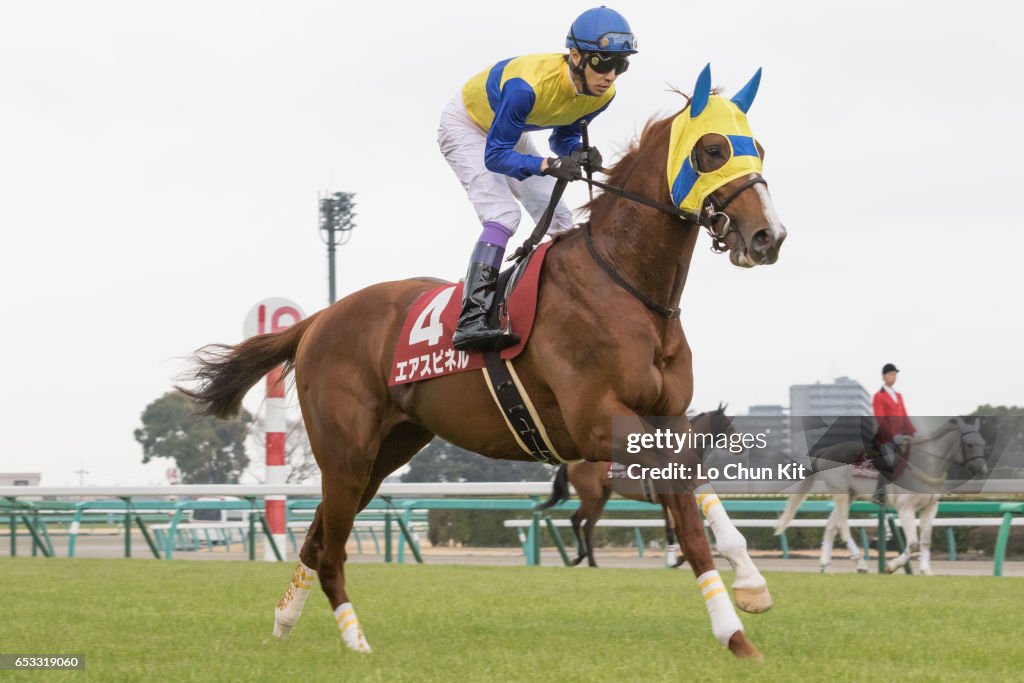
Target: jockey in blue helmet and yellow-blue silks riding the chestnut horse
482, 136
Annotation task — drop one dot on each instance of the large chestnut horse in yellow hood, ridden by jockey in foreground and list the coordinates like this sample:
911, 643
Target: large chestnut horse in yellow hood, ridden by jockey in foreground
596, 352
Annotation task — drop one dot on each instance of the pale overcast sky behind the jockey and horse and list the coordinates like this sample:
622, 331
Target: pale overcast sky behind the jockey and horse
160, 164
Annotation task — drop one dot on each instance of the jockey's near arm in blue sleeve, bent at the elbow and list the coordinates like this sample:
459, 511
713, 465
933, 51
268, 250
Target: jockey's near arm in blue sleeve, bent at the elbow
510, 120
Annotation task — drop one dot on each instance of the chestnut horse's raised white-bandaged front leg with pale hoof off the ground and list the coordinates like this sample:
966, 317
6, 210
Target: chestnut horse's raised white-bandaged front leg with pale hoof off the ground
750, 588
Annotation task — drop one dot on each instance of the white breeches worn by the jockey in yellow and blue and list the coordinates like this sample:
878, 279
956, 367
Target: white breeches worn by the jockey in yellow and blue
493, 195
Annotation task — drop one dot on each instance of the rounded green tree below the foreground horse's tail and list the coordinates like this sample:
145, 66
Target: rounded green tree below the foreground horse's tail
206, 450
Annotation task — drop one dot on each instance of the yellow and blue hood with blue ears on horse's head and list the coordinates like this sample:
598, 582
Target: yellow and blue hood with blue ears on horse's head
711, 114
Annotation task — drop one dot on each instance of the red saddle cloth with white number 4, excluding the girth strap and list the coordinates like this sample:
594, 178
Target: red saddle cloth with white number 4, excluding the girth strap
424, 350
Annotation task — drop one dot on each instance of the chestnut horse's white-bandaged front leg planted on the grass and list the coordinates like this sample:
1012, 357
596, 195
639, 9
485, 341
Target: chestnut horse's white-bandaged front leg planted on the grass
726, 623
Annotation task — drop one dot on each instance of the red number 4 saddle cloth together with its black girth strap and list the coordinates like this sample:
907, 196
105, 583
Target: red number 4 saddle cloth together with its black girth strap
424, 350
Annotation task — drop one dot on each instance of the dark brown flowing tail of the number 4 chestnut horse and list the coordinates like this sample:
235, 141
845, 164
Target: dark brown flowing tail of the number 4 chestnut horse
226, 373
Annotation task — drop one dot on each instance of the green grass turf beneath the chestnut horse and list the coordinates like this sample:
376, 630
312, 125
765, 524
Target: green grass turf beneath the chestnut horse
181, 621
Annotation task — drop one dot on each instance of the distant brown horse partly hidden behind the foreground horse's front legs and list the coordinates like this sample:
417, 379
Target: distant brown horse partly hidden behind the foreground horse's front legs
594, 485
